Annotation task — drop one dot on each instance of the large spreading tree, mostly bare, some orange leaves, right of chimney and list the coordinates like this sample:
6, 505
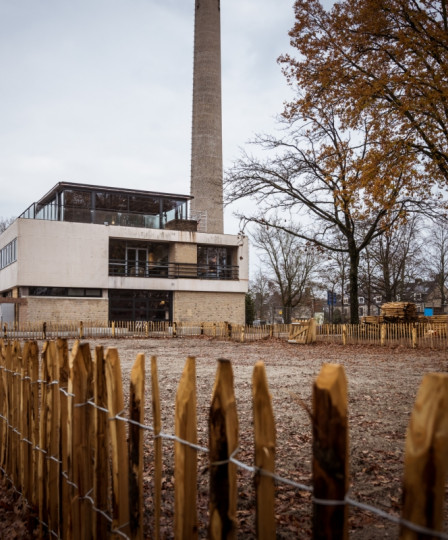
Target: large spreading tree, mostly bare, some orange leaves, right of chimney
356, 185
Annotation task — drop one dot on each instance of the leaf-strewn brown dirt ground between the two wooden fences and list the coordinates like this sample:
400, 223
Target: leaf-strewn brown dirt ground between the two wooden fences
382, 386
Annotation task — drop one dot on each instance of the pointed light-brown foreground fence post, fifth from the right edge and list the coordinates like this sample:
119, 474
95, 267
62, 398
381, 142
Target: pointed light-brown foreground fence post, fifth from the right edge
185, 457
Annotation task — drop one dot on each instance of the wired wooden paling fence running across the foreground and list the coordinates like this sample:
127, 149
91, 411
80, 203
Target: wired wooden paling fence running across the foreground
64, 431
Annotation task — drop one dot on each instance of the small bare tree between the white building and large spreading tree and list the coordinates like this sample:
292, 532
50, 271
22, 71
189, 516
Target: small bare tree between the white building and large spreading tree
291, 264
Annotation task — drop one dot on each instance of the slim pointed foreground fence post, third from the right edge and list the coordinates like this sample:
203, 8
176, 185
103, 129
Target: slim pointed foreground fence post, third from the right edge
264, 442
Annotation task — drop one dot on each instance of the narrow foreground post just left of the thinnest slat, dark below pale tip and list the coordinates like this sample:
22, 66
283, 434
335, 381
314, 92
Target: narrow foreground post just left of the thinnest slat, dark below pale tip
136, 414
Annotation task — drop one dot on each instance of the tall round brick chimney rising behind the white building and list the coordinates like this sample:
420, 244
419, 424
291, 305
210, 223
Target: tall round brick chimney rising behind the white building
206, 146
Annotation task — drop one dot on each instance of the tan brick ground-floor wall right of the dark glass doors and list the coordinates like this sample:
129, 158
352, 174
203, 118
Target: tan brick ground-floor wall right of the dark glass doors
209, 307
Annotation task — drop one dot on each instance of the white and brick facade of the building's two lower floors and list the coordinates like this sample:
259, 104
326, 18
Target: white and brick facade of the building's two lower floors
75, 257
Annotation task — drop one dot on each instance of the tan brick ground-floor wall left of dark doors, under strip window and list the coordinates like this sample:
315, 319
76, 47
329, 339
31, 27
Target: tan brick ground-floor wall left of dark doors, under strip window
64, 310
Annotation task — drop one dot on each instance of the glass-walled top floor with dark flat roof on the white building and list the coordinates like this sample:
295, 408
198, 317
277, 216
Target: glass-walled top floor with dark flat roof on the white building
93, 204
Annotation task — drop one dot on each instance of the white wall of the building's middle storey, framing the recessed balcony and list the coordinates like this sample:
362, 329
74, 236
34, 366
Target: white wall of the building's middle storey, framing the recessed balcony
63, 254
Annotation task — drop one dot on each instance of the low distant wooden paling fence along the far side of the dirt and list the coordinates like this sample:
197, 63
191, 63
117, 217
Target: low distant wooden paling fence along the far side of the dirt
413, 335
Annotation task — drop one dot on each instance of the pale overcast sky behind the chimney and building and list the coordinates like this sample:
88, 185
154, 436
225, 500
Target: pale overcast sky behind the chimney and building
99, 91
